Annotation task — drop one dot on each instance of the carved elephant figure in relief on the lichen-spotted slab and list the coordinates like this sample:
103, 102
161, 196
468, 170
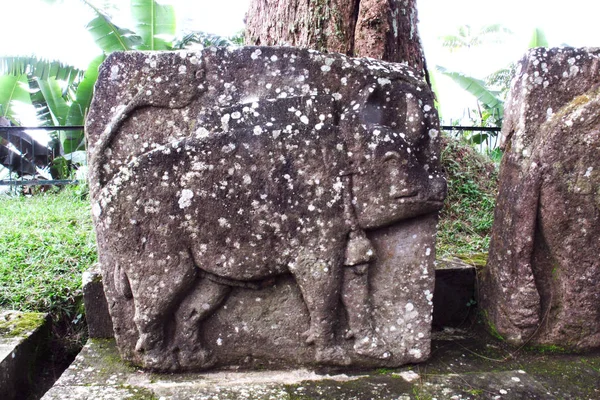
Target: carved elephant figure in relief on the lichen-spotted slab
263, 188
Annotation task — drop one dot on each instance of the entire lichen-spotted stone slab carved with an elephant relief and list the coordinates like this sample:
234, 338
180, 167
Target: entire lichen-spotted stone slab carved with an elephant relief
265, 207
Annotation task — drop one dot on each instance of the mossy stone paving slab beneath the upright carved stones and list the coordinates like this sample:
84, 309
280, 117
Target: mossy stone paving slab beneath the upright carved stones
462, 367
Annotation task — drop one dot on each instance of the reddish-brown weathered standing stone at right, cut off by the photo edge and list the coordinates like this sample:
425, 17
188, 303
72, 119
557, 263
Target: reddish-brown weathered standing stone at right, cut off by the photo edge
543, 275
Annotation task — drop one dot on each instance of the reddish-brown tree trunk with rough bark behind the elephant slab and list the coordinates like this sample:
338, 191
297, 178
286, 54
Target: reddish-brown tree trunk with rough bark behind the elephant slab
381, 29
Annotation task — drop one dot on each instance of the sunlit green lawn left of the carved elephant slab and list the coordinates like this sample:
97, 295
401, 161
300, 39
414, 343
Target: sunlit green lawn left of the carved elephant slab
46, 242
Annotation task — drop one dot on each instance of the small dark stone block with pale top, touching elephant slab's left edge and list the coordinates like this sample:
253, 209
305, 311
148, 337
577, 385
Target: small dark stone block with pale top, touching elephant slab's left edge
96, 309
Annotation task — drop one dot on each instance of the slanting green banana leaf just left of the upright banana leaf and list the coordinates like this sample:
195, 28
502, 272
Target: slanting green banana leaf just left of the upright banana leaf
110, 37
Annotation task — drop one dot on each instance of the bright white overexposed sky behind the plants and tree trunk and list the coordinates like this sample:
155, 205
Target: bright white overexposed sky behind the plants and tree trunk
57, 31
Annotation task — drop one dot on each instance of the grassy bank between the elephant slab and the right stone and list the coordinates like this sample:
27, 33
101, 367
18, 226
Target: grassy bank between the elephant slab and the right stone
467, 216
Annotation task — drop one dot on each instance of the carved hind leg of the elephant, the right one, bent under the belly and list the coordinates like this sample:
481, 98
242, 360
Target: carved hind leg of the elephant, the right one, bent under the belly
203, 299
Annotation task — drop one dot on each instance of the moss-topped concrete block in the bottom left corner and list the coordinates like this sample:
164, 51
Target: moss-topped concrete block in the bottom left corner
21, 337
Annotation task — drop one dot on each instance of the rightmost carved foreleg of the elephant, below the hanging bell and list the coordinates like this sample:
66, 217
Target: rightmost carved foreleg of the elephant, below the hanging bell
355, 296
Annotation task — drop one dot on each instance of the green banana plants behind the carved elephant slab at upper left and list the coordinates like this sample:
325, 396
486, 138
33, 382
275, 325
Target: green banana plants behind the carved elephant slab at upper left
61, 94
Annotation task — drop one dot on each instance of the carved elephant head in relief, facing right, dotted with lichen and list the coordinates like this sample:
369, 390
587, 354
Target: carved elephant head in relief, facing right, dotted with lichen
397, 173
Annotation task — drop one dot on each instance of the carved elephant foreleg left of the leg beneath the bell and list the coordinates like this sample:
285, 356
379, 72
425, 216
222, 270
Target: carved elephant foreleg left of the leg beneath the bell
319, 282
